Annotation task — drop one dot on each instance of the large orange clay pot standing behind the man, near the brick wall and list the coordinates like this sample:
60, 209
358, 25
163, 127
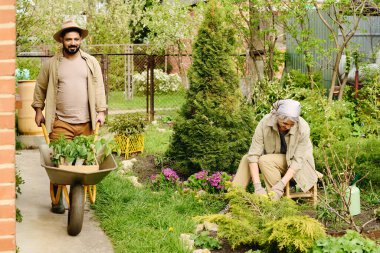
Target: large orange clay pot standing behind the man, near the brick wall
26, 124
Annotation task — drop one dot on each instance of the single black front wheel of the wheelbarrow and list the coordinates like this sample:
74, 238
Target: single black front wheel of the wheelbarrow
75, 217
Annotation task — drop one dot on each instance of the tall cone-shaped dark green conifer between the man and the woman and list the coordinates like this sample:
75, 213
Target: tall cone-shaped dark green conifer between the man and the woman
215, 127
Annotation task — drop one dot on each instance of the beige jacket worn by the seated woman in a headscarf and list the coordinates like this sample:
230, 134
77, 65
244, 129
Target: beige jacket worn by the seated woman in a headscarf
299, 155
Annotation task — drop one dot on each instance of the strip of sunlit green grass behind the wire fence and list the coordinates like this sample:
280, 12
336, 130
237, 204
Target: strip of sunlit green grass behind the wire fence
116, 101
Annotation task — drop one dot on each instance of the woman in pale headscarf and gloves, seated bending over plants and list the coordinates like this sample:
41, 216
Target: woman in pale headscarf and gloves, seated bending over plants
281, 150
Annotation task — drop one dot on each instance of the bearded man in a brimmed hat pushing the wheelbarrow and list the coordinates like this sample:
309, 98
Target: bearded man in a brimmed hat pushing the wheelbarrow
70, 89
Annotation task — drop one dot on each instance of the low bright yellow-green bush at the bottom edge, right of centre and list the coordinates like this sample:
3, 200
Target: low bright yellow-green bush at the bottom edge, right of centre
292, 234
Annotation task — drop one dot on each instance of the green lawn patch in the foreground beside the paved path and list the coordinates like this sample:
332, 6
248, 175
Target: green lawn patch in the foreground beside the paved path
138, 220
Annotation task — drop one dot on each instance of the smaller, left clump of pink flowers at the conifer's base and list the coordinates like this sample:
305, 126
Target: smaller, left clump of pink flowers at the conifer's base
167, 179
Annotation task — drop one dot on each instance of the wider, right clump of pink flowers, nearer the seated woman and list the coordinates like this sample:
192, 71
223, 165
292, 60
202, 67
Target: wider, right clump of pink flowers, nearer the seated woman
214, 183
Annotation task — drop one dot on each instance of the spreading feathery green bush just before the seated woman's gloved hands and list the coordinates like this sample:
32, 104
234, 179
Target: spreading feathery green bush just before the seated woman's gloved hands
248, 216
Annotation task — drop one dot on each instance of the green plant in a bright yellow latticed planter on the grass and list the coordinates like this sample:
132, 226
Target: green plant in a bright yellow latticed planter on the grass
129, 132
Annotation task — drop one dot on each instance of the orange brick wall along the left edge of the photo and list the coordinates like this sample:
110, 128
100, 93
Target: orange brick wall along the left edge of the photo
7, 125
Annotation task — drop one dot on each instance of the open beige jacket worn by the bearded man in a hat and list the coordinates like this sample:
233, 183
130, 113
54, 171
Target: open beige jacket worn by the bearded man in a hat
45, 92
